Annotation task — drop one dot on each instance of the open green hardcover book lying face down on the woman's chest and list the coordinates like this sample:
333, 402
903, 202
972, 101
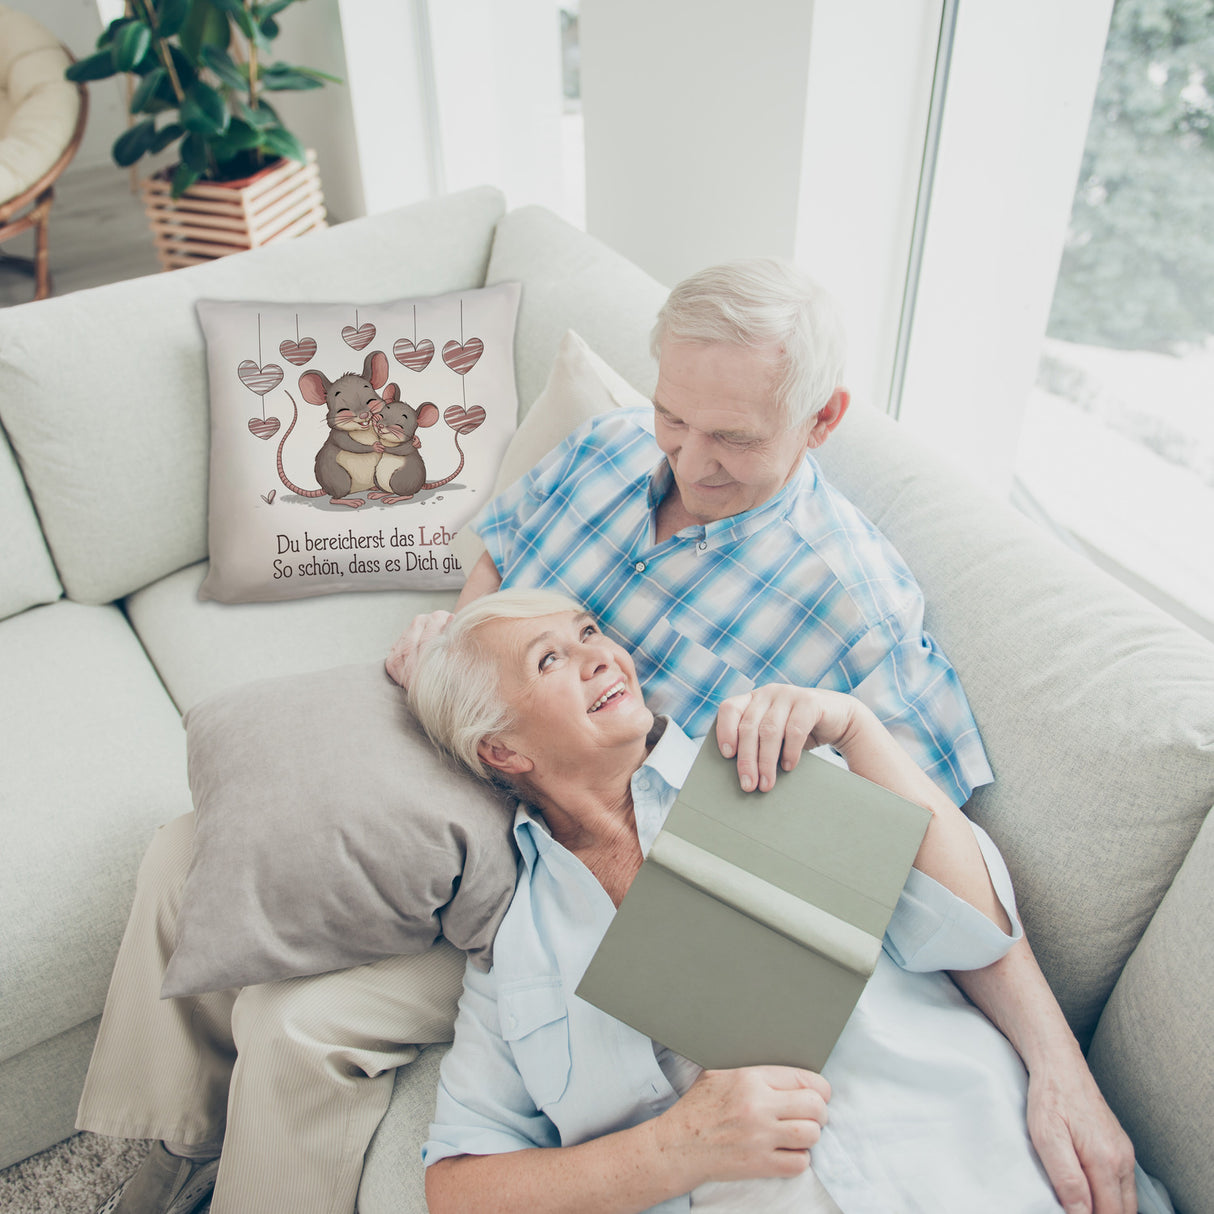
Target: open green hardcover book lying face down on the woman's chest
756, 921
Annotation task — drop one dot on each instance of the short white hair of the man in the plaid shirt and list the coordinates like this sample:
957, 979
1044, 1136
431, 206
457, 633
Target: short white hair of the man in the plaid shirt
763, 303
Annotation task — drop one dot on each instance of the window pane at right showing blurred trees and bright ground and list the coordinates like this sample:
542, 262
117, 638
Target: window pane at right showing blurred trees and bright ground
1117, 444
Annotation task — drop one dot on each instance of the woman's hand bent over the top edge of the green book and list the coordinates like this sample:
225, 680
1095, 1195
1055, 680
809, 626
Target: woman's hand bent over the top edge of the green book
770, 727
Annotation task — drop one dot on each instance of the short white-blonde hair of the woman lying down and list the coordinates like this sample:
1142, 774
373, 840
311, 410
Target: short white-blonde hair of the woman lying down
455, 691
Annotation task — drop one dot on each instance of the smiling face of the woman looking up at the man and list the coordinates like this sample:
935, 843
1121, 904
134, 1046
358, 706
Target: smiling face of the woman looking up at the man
572, 691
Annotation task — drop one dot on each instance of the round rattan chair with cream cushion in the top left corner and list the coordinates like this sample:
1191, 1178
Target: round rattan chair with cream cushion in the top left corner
42, 124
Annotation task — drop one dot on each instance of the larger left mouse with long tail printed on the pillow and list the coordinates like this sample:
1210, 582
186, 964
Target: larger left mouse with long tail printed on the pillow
347, 463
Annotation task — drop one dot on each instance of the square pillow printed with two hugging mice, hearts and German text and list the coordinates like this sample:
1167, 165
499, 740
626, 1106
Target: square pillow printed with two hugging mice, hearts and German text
354, 467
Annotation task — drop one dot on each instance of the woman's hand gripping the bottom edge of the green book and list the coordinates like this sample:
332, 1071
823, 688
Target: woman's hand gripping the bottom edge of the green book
758, 1121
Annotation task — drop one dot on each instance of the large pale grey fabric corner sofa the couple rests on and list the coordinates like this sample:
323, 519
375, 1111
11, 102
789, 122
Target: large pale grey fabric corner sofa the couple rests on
1098, 712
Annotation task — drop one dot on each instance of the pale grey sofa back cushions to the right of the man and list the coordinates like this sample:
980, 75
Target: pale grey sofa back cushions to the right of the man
1098, 714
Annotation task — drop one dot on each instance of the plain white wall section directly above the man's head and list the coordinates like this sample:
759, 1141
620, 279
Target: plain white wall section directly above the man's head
695, 122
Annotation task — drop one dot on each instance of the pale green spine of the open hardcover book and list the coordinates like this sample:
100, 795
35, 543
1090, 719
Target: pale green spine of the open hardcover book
778, 910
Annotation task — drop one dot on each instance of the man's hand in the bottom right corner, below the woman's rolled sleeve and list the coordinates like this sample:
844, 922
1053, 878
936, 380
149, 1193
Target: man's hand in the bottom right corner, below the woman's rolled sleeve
1086, 1153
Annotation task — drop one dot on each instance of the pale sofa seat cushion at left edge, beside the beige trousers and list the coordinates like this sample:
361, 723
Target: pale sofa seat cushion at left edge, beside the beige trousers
94, 759
